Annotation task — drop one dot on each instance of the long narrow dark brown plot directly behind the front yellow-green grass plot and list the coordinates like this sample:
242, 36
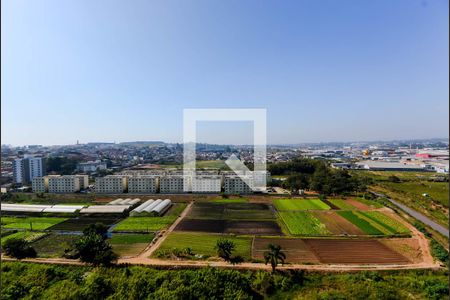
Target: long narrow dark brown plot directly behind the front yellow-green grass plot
230, 226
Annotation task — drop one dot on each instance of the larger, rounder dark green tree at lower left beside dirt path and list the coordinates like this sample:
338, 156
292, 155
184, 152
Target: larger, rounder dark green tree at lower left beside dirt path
93, 248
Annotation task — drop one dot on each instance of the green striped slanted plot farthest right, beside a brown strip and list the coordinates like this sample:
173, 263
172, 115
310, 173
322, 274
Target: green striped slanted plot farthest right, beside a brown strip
374, 223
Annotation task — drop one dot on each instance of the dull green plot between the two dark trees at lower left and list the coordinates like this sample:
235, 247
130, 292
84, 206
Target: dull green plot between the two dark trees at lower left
53, 245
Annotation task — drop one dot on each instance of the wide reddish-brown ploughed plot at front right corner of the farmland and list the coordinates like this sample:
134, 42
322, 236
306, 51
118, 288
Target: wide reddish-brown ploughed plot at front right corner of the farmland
354, 252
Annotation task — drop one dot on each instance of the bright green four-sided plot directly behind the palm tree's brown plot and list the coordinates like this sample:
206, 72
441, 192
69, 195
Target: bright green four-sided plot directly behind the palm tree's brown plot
303, 223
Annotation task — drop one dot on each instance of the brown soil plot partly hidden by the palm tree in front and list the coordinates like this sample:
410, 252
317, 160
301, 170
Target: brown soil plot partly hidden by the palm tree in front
296, 250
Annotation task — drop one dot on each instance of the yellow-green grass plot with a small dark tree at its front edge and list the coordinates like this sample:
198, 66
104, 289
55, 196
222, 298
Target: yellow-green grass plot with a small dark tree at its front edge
203, 244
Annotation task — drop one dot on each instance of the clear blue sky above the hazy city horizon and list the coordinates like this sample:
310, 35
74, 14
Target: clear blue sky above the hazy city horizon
107, 70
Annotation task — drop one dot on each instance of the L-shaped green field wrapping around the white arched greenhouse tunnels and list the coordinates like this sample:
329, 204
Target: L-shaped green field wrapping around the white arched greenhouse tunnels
150, 224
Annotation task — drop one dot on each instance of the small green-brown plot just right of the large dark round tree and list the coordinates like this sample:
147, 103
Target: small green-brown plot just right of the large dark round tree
126, 245
